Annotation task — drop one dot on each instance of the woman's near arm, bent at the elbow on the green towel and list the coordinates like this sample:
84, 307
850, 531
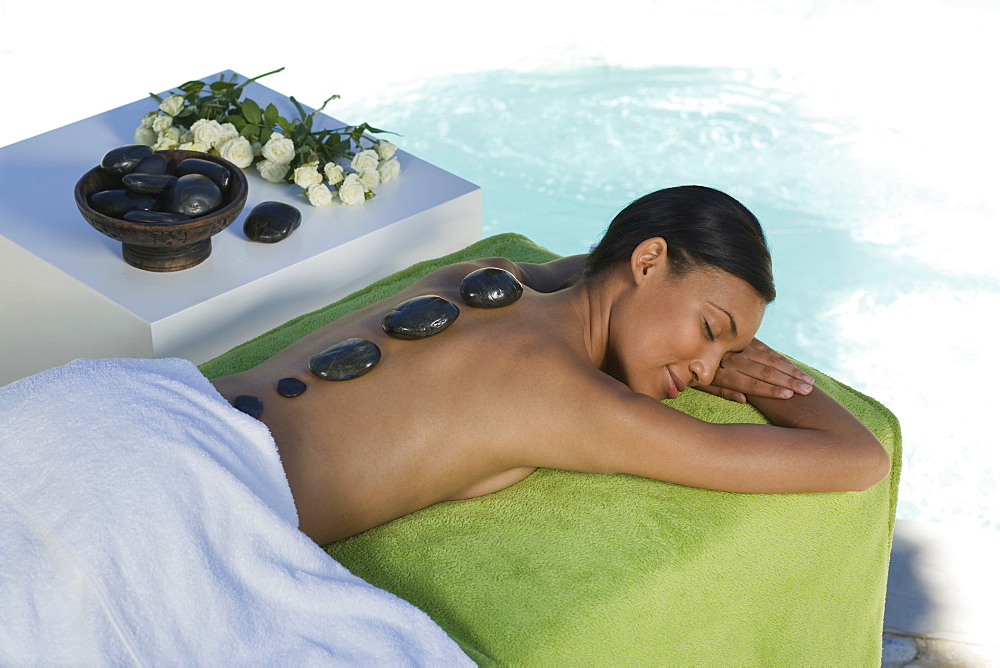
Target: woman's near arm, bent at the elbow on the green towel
813, 445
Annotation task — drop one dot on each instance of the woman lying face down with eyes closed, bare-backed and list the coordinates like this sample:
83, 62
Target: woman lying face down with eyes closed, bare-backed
571, 376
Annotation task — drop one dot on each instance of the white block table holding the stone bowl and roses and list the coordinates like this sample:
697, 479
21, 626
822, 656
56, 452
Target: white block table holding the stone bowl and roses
66, 292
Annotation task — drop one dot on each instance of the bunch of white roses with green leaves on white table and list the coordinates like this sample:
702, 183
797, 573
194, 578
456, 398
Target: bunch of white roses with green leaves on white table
213, 118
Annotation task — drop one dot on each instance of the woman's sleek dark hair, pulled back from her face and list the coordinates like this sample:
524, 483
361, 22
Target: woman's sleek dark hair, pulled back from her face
702, 227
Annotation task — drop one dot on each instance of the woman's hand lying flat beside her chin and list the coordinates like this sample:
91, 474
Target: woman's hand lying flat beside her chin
758, 371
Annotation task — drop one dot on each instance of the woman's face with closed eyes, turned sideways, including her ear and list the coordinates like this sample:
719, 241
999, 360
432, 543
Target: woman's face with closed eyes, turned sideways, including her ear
672, 332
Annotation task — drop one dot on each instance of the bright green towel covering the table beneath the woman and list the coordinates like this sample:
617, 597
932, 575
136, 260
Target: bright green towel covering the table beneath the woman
579, 569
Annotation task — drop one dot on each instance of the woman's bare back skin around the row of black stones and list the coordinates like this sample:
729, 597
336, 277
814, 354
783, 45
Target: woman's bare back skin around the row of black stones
437, 419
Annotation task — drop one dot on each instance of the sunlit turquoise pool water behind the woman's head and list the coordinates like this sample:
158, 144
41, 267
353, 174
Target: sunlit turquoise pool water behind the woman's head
880, 281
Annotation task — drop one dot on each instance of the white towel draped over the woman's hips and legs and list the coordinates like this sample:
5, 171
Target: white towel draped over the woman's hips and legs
144, 520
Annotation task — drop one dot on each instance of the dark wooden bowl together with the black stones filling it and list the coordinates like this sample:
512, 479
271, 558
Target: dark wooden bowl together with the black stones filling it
164, 206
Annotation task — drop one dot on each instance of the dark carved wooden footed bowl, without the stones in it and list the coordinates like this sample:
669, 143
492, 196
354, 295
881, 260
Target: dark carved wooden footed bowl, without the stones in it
164, 246
